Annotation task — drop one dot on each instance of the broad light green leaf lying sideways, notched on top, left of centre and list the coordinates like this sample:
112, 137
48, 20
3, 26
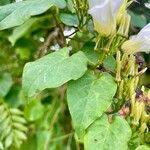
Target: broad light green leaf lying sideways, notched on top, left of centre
53, 71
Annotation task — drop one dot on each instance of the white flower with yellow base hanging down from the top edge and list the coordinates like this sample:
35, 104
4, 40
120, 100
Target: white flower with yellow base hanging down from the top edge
104, 13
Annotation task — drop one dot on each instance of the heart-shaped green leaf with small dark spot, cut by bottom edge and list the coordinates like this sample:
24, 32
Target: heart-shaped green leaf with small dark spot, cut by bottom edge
102, 135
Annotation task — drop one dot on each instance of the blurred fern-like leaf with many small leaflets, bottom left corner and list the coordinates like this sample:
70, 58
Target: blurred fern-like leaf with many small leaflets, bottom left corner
13, 127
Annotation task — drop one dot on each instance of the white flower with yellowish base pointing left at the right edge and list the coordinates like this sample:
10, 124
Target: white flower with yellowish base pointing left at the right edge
139, 42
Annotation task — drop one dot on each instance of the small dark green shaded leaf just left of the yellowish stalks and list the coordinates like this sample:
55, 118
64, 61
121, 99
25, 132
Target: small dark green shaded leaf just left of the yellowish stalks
110, 63
